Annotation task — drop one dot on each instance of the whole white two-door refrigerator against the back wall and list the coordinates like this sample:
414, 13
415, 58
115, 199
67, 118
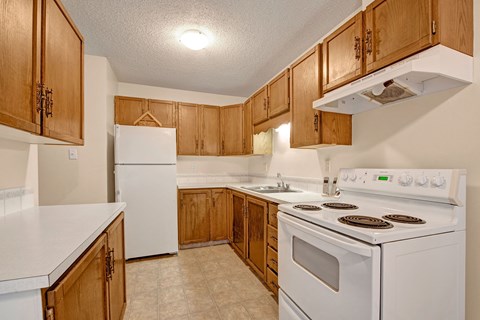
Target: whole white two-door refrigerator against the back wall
145, 178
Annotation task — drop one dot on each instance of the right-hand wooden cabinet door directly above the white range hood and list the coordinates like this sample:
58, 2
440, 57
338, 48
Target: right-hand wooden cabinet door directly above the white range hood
395, 29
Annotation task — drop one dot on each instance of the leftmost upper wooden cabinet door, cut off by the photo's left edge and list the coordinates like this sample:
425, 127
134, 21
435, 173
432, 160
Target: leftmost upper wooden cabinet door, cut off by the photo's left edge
19, 64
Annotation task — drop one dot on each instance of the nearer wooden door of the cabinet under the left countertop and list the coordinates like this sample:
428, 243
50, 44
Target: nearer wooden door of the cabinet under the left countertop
82, 292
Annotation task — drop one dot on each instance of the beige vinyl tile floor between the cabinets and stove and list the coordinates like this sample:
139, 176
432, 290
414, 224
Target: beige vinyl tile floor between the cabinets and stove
203, 283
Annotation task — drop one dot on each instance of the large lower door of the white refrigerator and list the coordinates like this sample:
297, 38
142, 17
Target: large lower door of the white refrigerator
150, 192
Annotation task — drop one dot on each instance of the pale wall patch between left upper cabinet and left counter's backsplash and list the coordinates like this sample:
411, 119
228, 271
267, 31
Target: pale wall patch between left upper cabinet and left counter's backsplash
19, 166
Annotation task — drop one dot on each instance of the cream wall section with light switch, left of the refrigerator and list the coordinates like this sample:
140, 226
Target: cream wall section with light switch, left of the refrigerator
90, 178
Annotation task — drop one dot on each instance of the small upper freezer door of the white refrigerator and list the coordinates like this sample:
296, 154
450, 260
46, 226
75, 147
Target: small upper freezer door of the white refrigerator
145, 145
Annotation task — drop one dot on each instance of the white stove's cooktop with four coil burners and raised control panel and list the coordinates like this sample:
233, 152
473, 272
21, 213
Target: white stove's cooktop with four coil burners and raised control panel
436, 210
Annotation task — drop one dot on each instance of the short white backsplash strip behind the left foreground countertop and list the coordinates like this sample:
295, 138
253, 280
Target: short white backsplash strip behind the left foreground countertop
15, 199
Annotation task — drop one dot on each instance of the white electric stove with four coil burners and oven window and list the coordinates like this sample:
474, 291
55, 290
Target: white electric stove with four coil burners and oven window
411, 266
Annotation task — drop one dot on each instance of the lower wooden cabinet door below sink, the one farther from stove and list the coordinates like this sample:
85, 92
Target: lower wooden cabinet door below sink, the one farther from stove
239, 223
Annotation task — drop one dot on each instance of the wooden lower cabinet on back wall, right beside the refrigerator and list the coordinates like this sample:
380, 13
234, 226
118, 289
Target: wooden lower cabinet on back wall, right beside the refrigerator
202, 215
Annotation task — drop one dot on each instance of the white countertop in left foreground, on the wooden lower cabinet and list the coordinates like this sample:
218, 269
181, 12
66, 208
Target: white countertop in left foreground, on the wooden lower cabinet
38, 245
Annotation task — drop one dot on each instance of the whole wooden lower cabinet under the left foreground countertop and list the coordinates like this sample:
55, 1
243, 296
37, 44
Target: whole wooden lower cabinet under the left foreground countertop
93, 288
